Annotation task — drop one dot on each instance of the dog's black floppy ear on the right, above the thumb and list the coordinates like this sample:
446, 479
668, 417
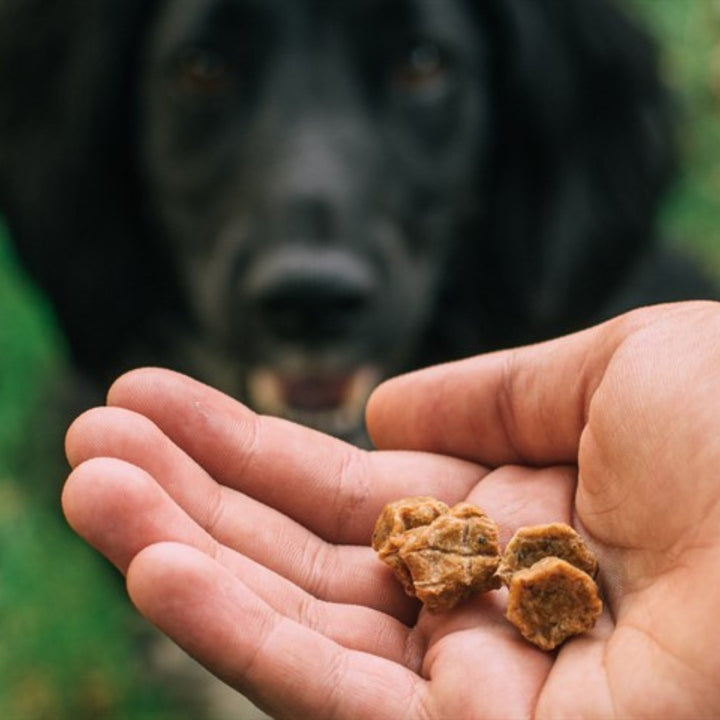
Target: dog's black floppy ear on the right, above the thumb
584, 150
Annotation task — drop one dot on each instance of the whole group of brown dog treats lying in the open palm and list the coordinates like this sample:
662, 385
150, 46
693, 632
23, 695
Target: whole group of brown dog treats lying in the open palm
443, 555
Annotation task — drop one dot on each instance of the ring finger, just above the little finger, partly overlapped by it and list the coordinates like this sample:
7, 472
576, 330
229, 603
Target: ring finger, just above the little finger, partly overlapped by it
120, 510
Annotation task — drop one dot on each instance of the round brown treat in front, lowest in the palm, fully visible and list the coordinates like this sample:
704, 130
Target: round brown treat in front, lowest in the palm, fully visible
551, 601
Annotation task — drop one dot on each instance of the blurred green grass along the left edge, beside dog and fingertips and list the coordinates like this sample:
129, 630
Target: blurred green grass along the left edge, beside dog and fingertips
66, 632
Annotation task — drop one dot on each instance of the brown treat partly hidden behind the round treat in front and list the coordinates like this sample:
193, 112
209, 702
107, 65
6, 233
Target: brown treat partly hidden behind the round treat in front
533, 543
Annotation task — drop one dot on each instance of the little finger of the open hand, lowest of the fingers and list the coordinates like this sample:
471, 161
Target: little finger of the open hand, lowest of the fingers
281, 665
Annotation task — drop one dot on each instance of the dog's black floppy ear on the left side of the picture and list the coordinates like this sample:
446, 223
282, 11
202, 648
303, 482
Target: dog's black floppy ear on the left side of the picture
66, 166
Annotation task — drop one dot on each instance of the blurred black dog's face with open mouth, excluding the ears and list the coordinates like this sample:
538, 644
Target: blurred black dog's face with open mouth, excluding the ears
310, 166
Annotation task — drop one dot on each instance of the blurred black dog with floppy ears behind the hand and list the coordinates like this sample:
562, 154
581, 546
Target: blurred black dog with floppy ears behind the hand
295, 198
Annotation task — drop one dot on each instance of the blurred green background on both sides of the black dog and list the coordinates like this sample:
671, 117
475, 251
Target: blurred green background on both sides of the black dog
66, 650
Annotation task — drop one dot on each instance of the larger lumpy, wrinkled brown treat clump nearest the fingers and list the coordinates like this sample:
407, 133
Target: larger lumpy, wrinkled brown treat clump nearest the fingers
441, 555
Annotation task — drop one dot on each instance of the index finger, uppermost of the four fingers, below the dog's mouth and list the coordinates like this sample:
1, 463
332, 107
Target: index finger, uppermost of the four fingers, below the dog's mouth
329, 486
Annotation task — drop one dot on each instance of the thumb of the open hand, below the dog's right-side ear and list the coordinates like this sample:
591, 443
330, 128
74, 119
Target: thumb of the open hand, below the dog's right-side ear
526, 405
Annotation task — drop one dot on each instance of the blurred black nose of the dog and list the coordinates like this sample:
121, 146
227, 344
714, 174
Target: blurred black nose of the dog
311, 297
